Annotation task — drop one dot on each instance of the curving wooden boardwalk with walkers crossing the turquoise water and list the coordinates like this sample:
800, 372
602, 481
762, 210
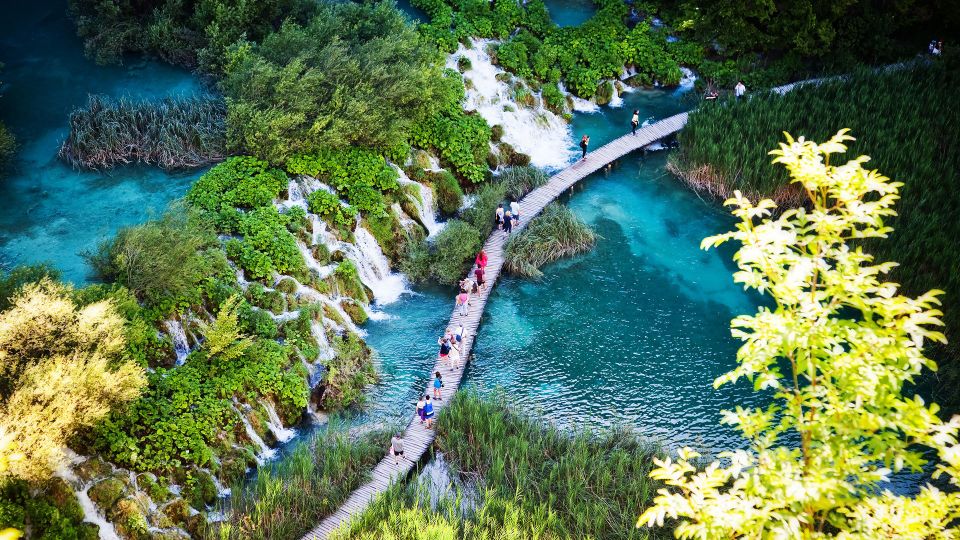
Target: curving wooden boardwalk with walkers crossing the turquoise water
417, 439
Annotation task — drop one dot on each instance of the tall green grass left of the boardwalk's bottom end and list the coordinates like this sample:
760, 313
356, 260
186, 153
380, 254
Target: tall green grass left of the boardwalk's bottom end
291, 497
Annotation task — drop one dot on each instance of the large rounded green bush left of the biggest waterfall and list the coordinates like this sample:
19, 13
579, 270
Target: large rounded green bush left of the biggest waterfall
355, 75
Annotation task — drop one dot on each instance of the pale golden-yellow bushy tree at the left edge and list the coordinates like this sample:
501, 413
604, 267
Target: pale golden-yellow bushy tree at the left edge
61, 368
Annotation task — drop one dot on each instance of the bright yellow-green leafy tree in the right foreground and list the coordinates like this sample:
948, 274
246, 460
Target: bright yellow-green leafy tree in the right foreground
840, 424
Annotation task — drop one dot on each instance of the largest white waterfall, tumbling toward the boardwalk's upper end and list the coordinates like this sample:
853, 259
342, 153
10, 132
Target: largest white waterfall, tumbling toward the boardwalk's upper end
537, 132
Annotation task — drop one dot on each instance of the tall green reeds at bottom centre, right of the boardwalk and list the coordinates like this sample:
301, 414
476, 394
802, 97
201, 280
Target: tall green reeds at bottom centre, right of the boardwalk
539, 482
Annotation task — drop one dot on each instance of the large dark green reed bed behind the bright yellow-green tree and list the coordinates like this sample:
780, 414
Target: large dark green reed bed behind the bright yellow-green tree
905, 119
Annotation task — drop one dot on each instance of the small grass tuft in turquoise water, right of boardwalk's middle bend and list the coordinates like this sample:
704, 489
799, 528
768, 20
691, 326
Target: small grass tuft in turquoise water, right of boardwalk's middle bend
554, 234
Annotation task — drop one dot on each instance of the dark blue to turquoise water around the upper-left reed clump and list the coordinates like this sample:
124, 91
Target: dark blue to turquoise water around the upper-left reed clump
49, 211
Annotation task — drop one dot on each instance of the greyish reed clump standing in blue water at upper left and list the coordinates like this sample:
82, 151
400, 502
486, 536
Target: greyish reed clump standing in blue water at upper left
172, 133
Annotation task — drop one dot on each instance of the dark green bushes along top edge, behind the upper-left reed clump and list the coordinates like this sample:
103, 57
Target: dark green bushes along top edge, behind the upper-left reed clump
190, 34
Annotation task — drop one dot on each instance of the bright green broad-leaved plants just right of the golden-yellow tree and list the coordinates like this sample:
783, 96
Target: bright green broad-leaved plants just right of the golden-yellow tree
187, 413
